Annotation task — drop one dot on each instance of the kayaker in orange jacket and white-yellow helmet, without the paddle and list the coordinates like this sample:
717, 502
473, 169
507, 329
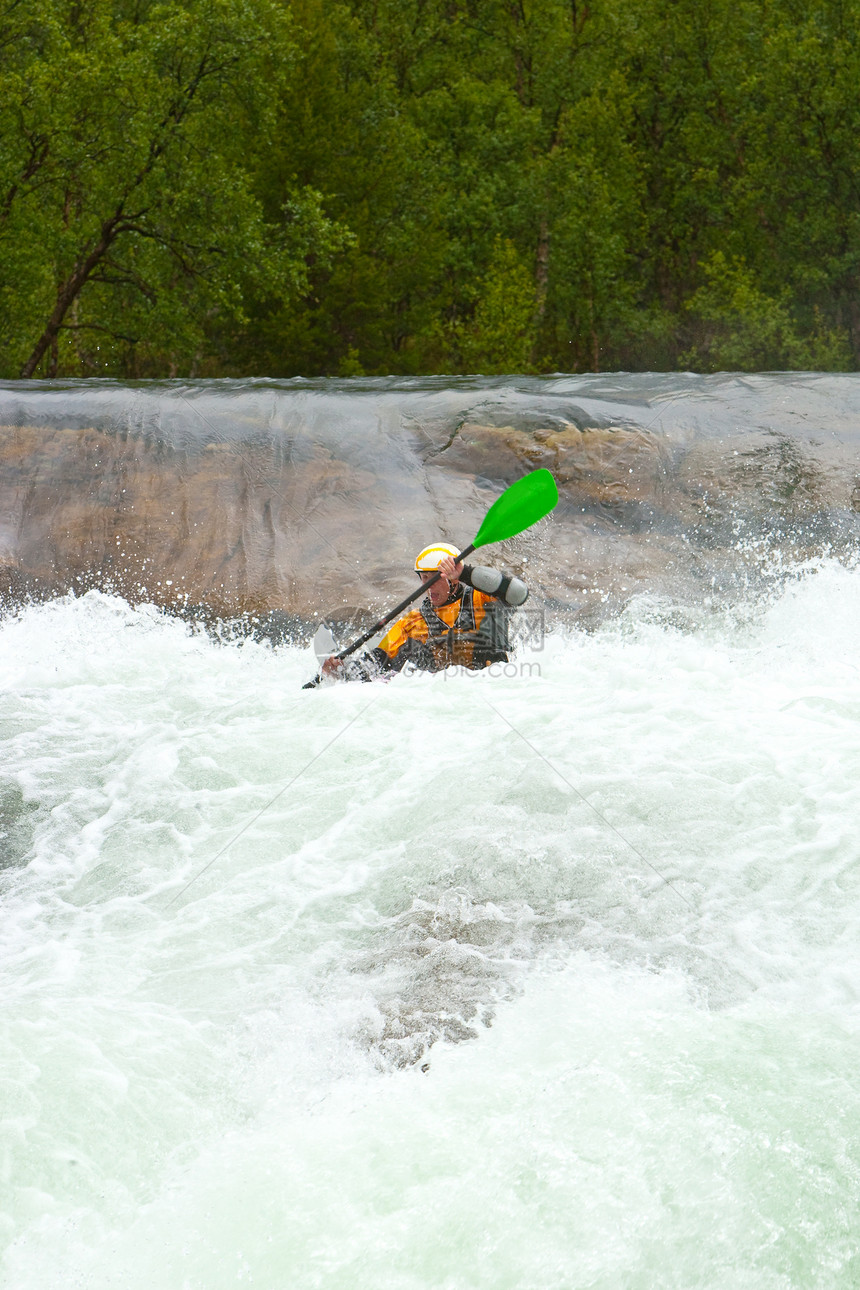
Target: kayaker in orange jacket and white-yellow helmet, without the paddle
464, 620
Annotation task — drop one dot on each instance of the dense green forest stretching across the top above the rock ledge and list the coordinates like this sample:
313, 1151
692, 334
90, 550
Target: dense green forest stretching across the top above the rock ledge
261, 188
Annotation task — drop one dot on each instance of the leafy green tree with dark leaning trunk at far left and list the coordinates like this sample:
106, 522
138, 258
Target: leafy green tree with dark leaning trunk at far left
127, 216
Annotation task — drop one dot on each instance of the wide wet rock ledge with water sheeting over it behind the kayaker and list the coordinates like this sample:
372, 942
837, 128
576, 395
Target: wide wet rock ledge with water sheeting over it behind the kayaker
302, 499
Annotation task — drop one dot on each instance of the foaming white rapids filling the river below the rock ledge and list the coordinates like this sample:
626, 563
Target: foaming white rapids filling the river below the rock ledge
542, 980
